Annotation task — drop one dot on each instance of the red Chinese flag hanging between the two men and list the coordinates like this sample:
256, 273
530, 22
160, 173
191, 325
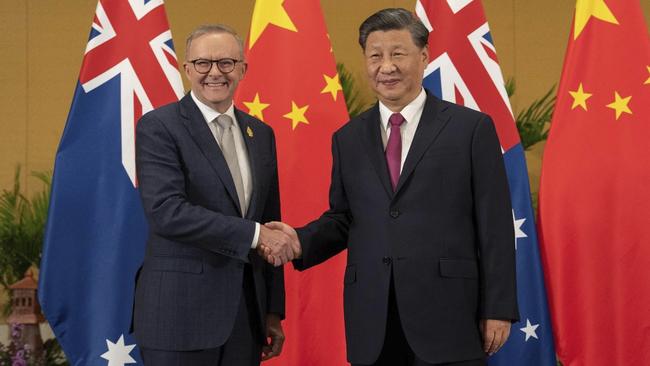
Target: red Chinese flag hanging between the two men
292, 84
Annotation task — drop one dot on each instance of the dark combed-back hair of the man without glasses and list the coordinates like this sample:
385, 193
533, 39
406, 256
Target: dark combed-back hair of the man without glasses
394, 19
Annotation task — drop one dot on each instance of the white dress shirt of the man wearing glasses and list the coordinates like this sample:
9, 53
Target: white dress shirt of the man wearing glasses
210, 116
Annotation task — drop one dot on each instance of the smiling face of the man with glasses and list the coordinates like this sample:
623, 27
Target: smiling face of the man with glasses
215, 88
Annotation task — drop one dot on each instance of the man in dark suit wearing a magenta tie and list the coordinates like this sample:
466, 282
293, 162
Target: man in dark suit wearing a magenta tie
420, 199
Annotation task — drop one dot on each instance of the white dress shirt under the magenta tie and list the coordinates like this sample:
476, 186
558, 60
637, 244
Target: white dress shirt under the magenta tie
411, 113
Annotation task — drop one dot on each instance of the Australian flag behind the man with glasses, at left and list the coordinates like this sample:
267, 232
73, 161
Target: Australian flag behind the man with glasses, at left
96, 230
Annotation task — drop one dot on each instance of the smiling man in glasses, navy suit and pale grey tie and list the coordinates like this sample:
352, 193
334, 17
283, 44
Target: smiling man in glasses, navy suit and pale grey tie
207, 174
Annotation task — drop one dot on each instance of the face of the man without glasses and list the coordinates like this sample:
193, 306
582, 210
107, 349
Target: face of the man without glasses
395, 67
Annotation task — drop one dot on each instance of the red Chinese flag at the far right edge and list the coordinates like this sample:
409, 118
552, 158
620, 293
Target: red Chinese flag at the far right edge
595, 190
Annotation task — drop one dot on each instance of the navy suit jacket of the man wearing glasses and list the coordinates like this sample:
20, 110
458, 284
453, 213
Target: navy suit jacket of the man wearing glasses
189, 286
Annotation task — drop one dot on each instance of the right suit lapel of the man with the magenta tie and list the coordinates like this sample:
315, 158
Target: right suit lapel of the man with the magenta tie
432, 121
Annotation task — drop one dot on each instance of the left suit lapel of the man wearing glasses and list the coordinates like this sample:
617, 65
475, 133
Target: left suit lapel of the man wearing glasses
201, 133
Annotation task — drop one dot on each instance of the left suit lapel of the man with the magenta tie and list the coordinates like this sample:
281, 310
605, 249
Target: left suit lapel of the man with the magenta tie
371, 137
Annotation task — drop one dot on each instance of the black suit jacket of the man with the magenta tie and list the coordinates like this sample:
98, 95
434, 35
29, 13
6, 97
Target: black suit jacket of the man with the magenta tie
446, 233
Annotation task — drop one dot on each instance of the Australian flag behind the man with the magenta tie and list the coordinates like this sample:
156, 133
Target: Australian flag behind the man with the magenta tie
464, 69
